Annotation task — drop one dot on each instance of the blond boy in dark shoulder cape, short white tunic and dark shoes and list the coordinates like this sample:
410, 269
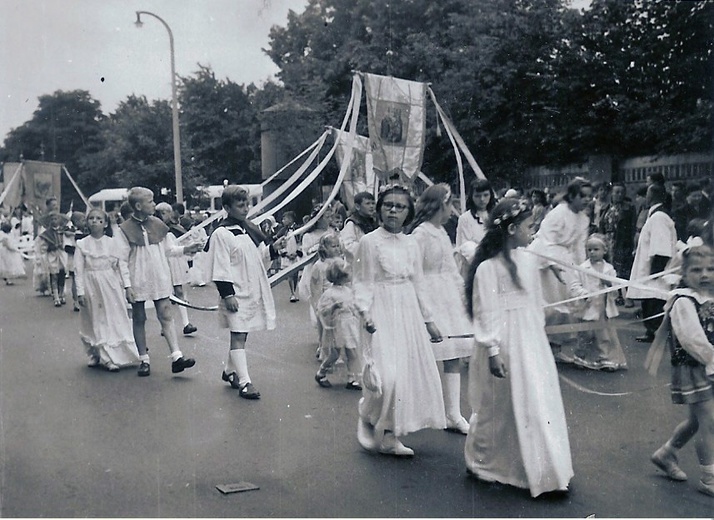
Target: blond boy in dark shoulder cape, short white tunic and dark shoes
142, 243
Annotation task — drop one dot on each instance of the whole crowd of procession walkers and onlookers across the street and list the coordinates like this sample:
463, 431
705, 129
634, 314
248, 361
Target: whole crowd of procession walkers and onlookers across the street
408, 293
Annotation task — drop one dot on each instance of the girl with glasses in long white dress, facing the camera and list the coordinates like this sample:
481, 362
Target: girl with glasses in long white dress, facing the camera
390, 295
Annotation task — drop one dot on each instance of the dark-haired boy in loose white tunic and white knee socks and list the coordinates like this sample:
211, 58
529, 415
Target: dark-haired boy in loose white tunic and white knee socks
246, 302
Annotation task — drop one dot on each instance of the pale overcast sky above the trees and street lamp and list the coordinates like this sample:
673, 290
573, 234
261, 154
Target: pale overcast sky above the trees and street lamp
93, 45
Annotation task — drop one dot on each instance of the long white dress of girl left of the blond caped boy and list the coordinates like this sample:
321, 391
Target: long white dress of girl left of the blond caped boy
105, 328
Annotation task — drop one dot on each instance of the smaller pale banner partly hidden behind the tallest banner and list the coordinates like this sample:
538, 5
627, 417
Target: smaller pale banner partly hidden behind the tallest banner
359, 175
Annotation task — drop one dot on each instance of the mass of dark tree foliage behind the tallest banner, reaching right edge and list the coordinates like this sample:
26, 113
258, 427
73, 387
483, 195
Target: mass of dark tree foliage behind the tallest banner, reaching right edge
526, 82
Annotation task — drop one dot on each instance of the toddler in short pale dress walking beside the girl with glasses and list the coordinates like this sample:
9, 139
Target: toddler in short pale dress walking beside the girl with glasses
338, 314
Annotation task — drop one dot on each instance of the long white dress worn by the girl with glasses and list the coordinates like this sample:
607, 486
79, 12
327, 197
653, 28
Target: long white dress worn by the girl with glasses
388, 284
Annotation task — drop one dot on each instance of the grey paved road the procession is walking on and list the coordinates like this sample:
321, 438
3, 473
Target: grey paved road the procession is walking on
77, 442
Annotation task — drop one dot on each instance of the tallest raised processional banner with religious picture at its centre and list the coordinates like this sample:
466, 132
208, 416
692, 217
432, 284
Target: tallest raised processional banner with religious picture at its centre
396, 119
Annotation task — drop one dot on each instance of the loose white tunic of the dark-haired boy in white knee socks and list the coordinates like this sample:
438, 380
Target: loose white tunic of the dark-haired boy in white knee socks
235, 258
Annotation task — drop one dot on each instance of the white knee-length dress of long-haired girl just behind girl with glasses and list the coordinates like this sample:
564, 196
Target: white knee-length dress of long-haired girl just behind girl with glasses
444, 285
